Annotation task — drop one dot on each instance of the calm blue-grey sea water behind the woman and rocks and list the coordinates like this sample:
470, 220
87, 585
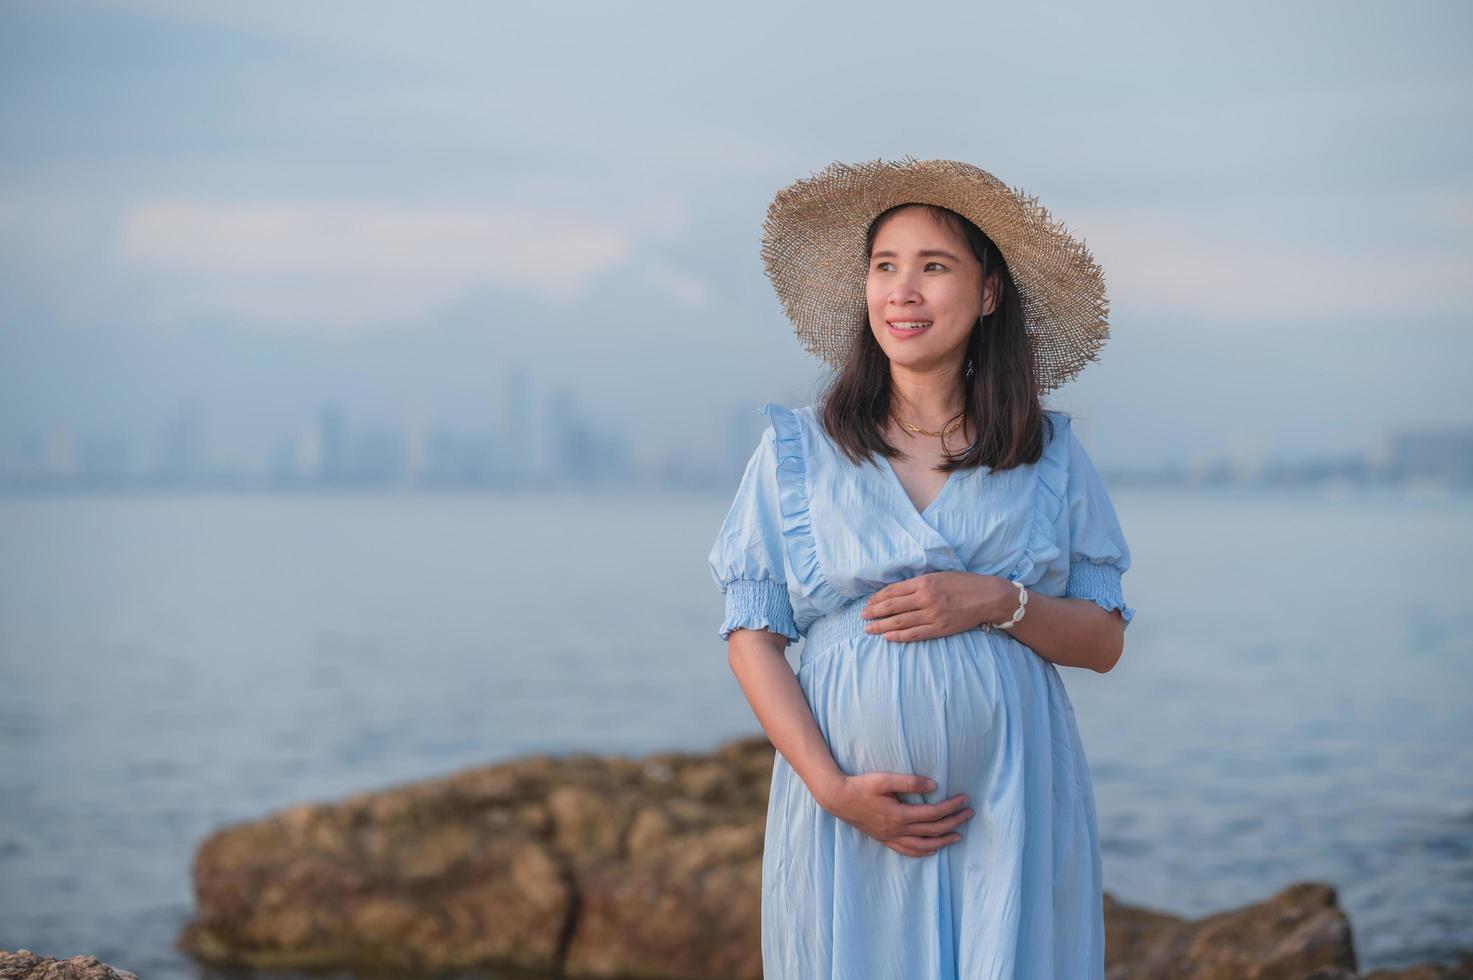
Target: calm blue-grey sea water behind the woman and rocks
1293, 704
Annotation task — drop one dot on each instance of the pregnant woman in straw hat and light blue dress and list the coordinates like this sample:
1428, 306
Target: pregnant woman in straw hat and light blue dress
942, 545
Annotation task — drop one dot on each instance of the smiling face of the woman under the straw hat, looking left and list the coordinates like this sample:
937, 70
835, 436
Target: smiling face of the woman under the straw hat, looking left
924, 291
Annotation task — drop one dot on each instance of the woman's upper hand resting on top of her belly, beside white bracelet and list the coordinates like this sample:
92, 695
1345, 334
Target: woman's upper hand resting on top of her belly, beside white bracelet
936, 605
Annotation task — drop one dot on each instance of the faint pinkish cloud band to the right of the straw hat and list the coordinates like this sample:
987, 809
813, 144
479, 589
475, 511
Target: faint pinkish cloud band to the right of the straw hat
1260, 259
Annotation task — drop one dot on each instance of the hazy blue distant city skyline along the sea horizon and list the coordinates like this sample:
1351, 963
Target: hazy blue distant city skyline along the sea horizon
555, 438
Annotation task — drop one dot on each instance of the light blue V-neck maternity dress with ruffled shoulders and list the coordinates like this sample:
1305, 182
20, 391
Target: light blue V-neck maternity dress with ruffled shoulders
808, 539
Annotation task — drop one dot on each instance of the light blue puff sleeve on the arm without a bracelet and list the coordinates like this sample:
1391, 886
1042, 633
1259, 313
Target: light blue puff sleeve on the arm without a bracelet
746, 562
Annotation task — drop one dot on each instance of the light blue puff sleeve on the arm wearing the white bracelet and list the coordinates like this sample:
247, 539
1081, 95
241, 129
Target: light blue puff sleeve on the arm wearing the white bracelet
1098, 550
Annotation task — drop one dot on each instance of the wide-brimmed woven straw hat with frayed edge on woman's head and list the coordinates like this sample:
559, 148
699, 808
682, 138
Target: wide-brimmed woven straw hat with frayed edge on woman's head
814, 248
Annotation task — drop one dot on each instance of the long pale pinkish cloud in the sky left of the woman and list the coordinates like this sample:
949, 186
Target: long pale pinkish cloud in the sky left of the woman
348, 266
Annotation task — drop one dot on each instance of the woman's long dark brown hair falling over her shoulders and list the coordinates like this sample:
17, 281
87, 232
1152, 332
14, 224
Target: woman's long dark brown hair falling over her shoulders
1001, 402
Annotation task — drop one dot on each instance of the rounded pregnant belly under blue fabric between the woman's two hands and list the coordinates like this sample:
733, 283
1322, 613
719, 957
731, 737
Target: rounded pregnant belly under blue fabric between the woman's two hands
926, 708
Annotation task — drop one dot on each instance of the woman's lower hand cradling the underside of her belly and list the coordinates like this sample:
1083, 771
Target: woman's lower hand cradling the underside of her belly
868, 802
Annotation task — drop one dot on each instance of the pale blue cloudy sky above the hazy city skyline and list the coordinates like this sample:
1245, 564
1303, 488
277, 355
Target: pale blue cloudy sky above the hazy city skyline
263, 209
